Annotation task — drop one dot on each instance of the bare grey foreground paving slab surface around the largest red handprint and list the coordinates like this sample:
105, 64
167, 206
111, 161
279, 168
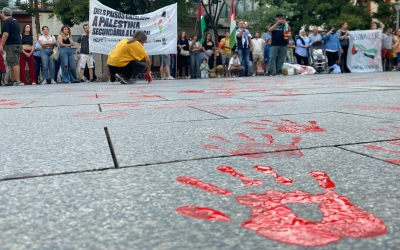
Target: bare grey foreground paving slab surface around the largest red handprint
135, 208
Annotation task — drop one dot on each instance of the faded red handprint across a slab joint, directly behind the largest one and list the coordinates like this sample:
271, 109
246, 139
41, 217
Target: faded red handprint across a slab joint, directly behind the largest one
254, 149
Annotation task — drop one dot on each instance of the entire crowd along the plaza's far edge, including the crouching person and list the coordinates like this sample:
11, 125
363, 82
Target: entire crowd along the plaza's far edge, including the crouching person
46, 55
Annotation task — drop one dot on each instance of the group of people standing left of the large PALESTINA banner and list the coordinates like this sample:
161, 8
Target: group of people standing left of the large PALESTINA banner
43, 55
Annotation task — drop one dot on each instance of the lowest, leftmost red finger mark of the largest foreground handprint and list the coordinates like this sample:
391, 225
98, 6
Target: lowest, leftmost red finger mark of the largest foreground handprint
202, 213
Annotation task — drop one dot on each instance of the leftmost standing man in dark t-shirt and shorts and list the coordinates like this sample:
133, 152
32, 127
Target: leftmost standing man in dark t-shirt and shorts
13, 45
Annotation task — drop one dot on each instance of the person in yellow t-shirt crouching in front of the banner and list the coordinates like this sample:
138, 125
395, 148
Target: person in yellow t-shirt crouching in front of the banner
129, 58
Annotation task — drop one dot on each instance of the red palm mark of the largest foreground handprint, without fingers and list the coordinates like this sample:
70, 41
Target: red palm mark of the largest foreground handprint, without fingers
272, 219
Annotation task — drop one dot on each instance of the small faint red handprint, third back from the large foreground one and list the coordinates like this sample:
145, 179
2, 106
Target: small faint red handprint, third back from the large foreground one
287, 126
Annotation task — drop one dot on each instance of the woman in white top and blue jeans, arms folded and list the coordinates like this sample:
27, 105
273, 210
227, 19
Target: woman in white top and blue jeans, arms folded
47, 42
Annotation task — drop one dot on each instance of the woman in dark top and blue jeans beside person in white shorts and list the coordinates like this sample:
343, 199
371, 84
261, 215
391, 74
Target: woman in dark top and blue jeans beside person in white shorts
67, 60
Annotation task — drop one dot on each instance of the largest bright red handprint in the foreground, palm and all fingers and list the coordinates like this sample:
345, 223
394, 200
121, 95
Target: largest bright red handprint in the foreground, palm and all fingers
272, 219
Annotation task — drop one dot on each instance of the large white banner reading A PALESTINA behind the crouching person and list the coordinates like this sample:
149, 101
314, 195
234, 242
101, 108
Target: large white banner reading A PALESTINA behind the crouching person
108, 27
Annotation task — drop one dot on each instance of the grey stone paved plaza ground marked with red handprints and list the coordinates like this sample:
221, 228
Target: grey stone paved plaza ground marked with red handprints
241, 163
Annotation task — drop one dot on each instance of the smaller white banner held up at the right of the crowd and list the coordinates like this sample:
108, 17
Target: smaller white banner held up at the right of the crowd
364, 53
